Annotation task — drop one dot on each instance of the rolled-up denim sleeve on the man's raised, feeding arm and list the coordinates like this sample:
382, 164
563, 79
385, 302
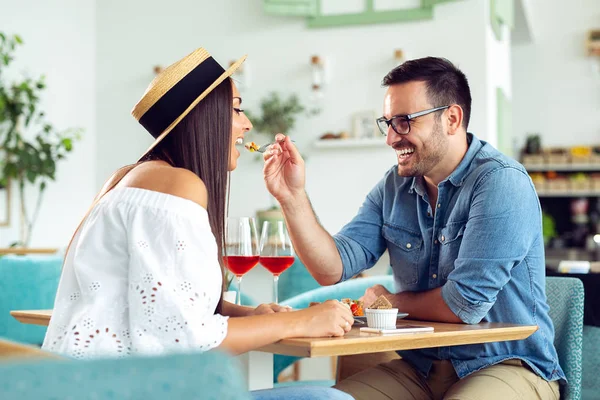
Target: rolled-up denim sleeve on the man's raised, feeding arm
360, 243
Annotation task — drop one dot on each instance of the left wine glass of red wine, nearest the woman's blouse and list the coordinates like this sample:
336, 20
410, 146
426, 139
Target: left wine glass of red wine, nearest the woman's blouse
241, 248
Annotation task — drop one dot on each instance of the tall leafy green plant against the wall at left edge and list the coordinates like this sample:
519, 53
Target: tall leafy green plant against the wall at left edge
29, 144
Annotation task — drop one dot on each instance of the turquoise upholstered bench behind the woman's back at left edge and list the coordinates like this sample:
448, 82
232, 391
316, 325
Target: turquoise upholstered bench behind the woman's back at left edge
27, 283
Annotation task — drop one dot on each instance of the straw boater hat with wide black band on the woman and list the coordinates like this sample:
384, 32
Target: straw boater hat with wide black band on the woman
177, 90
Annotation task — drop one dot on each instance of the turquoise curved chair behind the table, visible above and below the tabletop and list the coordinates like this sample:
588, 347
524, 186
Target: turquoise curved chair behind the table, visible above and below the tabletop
353, 288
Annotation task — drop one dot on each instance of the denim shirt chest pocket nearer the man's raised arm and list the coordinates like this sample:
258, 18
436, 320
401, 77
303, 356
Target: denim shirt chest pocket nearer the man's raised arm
405, 248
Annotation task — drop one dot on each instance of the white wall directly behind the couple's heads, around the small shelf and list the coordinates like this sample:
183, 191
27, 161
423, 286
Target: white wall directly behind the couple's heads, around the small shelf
135, 35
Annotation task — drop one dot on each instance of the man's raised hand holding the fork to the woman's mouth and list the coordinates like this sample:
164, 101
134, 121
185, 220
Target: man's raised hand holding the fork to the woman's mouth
284, 169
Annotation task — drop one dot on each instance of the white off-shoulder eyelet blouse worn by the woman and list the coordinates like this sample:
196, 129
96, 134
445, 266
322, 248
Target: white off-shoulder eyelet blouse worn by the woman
141, 277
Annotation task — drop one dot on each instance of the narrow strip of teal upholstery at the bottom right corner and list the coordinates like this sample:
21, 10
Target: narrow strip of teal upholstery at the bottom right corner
591, 363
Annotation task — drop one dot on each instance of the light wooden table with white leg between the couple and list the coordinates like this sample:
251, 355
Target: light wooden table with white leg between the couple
258, 365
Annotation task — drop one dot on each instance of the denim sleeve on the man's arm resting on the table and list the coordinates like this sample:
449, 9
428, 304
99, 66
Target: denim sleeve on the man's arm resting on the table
504, 223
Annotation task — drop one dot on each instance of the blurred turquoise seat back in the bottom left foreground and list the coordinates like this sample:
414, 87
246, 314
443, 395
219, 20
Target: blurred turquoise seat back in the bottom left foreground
211, 375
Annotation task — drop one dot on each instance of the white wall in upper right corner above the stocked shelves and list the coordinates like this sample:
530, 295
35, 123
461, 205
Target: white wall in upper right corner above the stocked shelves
556, 87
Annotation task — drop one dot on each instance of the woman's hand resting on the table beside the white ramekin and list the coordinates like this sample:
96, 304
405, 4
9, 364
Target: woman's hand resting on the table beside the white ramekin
331, 318
